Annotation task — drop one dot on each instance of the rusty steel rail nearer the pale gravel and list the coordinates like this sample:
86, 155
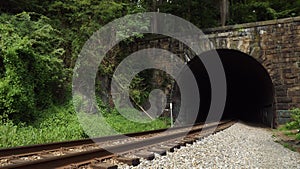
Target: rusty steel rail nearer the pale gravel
54, 162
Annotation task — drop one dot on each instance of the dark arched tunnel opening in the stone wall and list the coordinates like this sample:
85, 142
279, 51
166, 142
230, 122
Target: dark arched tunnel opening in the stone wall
250, 91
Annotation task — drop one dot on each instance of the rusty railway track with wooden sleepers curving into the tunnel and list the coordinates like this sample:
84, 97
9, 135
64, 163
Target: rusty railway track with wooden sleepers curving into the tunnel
105, 152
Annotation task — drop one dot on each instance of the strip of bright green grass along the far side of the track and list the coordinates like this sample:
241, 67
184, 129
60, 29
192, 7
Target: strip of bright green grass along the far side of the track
60, 123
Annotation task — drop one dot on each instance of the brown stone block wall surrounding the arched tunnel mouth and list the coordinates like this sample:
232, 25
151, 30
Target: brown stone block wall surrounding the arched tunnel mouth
274, 44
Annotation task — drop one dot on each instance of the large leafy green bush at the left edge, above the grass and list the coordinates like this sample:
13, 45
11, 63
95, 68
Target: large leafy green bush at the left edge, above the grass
32, 70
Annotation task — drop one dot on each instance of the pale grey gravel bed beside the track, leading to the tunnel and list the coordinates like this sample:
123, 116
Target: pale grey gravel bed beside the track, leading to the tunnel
239, 146
